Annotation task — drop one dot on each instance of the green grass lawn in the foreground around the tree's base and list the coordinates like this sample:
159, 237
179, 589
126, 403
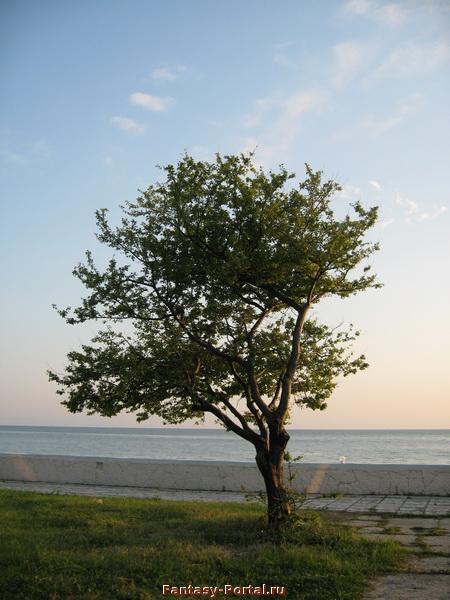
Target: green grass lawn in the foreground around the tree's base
71, 547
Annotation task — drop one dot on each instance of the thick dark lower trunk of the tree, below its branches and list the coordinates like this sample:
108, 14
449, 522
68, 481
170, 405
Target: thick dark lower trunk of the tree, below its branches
270, 461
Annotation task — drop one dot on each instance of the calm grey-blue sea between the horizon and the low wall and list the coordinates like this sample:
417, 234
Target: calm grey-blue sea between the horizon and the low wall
358, 446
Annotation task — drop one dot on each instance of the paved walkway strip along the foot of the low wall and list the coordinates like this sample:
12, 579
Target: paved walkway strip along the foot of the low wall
428, 506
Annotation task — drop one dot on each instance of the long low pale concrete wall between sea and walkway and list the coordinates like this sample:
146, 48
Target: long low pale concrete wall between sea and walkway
433, 480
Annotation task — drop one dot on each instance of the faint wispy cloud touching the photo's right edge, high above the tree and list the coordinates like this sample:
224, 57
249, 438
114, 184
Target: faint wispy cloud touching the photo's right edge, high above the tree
413, 59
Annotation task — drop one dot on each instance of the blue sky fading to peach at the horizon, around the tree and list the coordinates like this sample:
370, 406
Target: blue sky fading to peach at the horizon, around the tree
95, 95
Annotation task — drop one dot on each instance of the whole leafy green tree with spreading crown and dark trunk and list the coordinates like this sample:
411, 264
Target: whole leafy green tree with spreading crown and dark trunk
220, 267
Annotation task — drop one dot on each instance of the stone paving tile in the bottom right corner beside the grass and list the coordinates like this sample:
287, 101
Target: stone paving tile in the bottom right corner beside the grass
412, 586
